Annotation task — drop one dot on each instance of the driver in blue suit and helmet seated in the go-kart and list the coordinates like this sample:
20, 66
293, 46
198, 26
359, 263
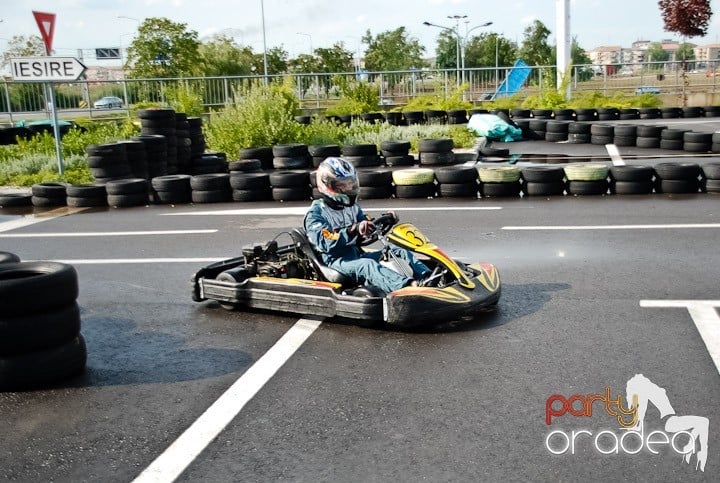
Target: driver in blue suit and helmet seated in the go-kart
336, 225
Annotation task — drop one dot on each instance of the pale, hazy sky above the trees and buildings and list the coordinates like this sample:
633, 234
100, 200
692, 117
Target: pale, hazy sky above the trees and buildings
301, 25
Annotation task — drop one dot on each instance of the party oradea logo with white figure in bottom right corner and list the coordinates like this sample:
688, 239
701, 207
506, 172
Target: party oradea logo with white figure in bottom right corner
684, 435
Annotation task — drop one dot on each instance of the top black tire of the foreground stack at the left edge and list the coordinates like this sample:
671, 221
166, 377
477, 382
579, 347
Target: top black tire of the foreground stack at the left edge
32, 287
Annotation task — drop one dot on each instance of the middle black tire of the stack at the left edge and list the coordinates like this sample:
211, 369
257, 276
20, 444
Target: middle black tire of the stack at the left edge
27, 333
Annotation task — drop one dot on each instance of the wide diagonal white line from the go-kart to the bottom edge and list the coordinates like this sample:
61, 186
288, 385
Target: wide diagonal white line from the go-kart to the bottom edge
183, 451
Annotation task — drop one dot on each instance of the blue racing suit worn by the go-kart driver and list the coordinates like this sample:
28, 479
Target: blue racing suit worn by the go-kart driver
328, 231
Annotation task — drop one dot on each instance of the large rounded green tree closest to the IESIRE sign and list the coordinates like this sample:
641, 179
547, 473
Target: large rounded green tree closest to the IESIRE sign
163, 48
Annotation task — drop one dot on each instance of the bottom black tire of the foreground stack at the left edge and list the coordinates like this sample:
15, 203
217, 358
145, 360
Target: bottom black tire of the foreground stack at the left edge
37, 369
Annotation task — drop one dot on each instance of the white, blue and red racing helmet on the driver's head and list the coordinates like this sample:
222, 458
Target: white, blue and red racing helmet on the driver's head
337, 182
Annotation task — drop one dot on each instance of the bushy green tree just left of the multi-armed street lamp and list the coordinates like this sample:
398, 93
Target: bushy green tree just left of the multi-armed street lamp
393, 50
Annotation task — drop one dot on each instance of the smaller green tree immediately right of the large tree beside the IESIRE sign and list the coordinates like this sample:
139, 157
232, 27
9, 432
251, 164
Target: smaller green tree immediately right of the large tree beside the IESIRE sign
221, 56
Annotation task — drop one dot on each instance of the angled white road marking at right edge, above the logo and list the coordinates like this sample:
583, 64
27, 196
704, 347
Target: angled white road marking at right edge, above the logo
705, 316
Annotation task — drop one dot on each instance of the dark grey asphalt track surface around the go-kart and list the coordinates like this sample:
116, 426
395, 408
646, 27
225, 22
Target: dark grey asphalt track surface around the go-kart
587, 287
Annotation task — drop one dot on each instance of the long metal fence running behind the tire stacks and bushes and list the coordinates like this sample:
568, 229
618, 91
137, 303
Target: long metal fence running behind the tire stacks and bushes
319, 91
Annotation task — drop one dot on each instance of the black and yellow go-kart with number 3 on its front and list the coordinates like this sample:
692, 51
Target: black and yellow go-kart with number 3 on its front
292, 278
